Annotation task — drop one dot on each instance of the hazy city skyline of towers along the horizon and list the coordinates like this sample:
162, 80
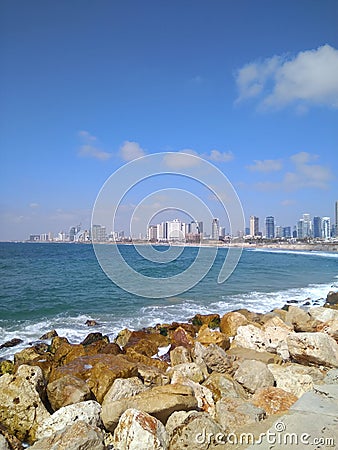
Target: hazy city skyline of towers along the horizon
306, 226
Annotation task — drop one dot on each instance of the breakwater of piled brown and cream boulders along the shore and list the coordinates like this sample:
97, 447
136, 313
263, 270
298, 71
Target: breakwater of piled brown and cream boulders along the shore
196, 385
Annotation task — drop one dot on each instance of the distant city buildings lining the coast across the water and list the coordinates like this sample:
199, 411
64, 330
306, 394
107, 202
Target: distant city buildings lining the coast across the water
306, 229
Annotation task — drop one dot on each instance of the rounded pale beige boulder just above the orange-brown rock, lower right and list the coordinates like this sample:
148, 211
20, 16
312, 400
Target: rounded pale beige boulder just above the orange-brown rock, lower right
253, 375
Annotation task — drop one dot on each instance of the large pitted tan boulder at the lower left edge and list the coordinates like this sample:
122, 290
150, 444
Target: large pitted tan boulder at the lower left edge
21, 408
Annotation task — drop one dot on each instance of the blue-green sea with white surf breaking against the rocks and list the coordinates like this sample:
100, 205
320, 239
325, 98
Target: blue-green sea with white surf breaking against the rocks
60, 286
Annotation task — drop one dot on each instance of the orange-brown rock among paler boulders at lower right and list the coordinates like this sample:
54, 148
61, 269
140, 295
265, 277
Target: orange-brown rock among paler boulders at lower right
273, 400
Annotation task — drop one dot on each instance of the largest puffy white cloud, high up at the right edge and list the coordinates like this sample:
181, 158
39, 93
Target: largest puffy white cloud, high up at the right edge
309, 78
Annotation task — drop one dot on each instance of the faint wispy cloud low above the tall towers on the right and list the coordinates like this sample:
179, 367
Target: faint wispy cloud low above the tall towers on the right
304, 175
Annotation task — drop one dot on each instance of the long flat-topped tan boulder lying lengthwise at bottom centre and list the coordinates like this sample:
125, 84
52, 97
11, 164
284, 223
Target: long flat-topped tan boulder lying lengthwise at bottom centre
160, 402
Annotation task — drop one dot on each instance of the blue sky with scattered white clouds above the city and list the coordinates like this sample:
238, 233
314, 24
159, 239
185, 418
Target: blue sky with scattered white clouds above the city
251, 87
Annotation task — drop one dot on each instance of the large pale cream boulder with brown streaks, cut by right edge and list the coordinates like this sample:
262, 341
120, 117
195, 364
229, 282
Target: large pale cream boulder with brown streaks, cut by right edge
313, 348
